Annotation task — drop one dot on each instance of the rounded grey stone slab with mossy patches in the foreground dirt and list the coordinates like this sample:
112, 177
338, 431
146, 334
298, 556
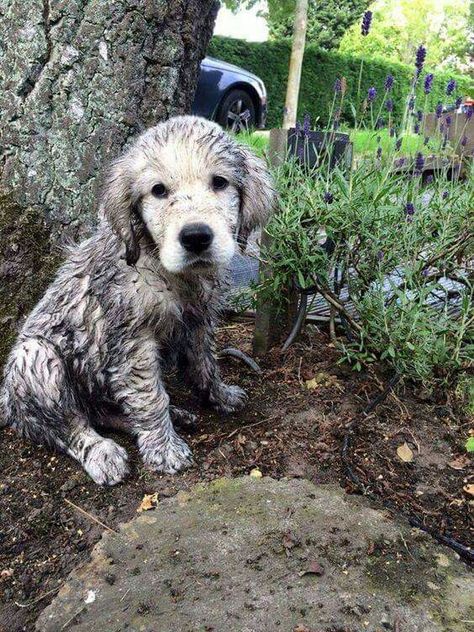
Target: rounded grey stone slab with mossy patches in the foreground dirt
258, 555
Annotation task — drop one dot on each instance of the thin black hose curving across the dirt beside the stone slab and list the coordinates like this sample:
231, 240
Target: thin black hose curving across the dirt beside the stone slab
463, 551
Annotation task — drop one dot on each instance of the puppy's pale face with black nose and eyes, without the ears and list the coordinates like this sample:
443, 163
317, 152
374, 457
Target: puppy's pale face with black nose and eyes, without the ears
190, 200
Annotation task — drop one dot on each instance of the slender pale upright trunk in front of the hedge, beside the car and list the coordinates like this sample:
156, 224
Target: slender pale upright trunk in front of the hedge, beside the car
296, 63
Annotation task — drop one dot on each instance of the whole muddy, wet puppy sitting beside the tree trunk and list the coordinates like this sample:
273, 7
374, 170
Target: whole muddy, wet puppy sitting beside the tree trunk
144, 289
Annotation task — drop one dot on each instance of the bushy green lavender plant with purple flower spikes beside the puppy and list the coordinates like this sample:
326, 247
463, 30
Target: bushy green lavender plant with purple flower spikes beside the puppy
400, 244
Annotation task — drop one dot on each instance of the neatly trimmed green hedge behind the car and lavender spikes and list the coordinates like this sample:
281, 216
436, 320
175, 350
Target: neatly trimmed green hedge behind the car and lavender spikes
269, 60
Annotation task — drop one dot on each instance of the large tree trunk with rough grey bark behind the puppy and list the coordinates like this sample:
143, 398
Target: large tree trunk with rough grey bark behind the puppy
78, 78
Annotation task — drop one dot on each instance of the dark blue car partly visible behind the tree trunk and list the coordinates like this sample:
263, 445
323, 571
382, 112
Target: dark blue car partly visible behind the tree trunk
232, 96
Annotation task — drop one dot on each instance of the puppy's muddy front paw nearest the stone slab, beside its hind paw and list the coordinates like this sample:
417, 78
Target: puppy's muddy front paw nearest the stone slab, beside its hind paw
168, 456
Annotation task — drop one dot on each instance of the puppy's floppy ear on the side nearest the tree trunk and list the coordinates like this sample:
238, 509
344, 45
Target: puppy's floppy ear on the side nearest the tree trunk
118, 208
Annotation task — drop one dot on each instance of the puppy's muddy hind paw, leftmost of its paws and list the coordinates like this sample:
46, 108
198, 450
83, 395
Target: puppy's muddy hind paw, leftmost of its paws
106, 462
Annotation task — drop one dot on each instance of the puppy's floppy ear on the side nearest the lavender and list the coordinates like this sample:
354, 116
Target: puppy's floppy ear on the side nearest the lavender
258, 196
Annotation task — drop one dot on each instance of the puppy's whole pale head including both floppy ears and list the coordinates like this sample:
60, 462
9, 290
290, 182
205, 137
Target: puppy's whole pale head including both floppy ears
194, 188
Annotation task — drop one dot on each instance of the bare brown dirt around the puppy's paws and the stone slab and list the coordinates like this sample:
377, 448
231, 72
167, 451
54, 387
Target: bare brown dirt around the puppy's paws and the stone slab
286, 430
